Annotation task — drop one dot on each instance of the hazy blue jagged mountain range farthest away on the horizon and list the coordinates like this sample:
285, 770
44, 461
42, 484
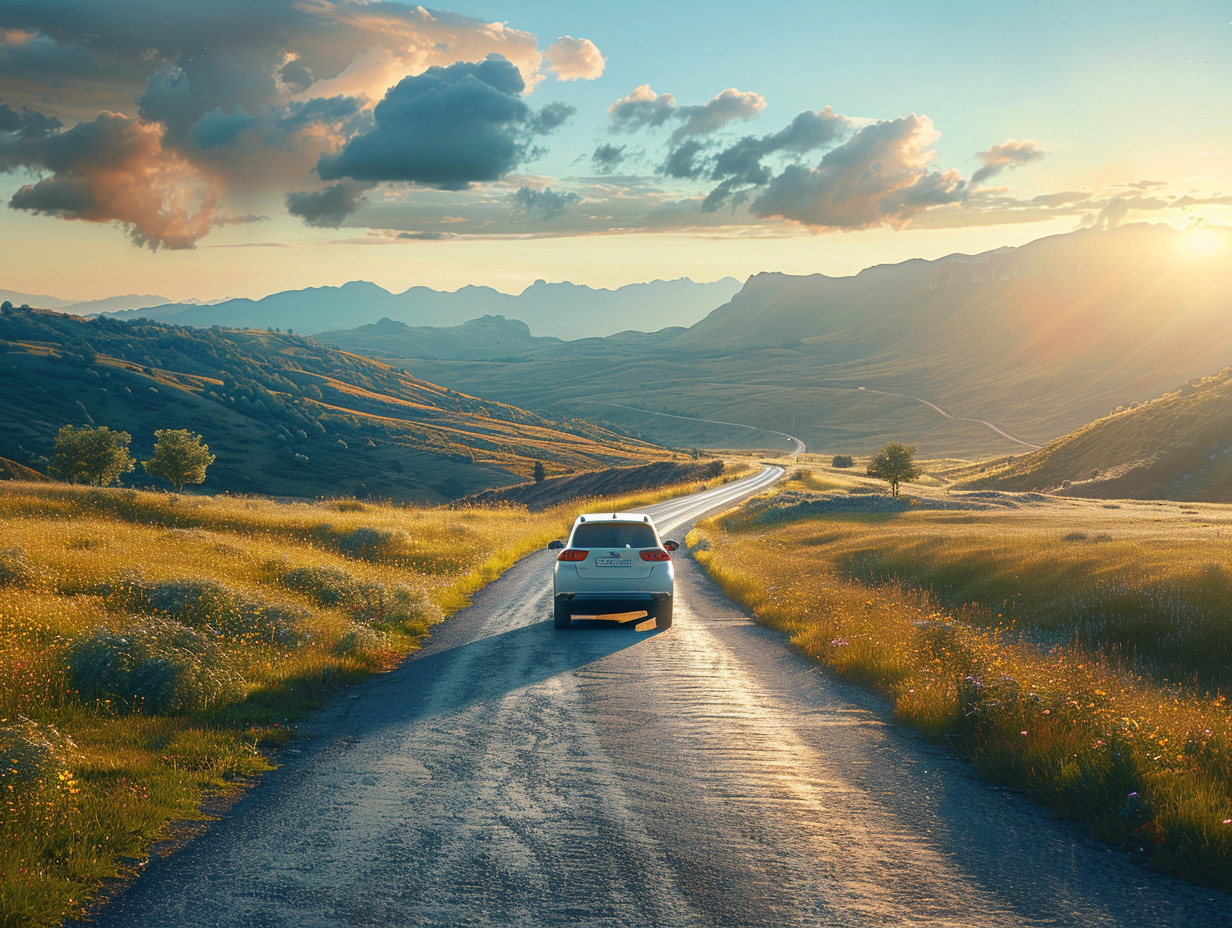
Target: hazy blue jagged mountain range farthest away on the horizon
564, 311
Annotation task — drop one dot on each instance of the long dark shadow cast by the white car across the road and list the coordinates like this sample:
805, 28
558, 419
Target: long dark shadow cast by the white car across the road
450, 680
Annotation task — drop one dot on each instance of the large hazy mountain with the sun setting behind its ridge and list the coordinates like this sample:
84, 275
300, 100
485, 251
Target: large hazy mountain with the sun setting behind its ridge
1038, 341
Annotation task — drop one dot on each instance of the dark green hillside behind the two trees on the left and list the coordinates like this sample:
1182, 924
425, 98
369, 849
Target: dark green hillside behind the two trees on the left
285, 416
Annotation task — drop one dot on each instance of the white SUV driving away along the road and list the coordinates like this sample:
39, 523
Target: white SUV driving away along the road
613, 563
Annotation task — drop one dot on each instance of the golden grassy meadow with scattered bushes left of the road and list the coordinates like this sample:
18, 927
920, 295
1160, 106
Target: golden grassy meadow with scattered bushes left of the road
155, 650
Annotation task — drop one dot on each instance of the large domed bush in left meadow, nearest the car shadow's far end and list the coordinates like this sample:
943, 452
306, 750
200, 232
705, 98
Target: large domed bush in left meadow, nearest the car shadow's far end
156, 666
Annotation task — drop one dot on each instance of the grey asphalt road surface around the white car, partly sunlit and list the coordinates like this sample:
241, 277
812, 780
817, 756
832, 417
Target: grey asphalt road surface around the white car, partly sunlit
513, 775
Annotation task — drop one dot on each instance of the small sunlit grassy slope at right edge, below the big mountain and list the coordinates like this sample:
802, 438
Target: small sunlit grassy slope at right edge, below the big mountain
1178, 447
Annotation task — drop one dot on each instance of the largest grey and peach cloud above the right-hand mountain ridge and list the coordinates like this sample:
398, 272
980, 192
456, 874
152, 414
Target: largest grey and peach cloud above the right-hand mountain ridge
880, 177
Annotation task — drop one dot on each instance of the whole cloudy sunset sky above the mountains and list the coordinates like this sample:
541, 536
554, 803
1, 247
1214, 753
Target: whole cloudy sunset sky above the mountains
243, 147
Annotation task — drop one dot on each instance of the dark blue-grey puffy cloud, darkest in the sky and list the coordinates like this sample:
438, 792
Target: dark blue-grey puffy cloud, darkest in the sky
445, 129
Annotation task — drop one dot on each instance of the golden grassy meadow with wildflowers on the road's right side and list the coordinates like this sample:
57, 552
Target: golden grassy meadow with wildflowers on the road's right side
1075, 650
